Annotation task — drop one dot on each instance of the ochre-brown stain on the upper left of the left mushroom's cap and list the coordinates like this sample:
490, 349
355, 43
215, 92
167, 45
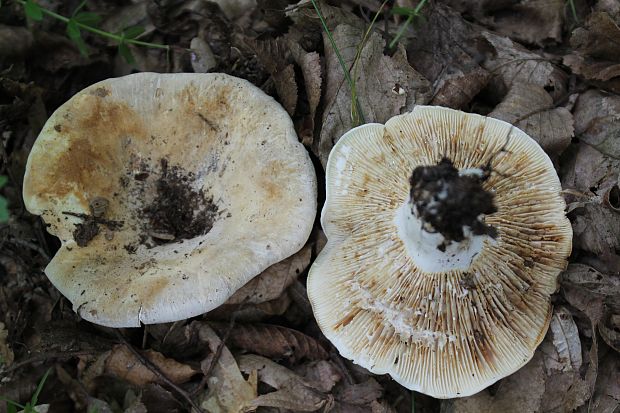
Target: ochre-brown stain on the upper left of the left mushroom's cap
92, 131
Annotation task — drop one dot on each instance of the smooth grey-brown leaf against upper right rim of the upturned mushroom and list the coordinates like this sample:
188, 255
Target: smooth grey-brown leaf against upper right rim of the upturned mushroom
531, 108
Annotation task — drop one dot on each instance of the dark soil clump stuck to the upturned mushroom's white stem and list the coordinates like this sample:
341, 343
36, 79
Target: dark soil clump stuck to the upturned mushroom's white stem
448, 202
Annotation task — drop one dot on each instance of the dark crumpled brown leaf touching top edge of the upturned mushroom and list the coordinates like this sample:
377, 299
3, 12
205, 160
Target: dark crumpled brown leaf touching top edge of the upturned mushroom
454, 72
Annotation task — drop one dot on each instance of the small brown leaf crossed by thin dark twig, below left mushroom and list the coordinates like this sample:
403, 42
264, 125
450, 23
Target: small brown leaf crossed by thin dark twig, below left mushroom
123, 363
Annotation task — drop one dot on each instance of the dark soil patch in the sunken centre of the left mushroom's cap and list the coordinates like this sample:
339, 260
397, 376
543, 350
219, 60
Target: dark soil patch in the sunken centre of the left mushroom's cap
178, 212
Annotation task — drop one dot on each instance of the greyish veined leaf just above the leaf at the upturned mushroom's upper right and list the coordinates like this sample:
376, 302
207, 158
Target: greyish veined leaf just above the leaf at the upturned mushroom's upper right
511, 63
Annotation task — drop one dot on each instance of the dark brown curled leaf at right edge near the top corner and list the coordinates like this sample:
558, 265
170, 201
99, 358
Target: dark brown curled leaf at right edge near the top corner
597, 51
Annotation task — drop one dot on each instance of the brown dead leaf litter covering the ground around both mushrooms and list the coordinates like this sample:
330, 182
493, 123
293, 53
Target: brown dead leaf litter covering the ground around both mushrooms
262, 351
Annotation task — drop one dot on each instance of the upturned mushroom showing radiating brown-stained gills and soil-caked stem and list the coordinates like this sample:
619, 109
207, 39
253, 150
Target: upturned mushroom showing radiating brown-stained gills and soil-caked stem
446, 233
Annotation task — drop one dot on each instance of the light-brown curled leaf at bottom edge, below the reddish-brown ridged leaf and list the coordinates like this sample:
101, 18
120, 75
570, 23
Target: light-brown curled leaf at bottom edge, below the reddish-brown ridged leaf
292, 391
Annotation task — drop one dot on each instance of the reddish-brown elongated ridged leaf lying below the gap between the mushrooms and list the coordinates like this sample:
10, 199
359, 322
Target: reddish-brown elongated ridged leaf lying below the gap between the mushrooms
273, 341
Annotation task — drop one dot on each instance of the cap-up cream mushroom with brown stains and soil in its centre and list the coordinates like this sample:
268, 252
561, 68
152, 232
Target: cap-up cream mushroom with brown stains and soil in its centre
168, 192
